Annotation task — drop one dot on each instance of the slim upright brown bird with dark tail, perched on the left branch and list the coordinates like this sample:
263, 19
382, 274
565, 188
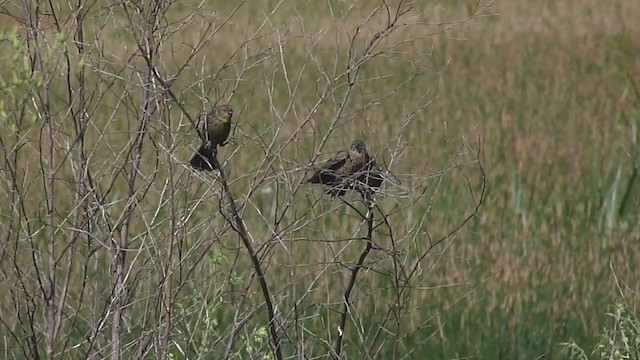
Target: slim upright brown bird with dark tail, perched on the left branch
216, 129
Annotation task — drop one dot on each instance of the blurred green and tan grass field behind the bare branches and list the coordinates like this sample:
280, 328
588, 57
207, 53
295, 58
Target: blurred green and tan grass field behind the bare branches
545, 85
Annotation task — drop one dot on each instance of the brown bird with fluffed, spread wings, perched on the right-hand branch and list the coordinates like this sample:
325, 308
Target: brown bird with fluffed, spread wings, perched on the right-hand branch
338, 173
